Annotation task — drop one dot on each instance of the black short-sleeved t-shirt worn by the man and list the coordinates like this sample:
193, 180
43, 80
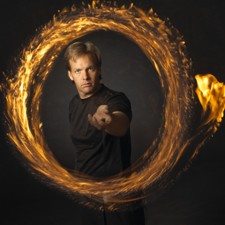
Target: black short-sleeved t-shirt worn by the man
97, 152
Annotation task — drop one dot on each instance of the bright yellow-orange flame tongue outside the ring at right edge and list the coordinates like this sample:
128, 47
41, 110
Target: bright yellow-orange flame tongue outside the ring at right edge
211, 94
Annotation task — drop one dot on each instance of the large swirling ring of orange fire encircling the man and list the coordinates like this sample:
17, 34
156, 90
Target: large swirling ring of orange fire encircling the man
165, 49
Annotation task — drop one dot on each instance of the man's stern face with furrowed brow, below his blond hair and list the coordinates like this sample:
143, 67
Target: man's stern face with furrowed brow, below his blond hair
85, 75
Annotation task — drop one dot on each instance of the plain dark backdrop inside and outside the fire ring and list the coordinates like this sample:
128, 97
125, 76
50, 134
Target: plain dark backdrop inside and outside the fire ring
197, 198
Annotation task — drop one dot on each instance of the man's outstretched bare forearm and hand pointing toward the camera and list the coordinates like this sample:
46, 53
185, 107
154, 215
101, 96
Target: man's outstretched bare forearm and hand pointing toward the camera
115, 123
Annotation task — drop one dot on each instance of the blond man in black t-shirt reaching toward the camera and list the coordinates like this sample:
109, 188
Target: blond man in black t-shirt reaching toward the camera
100, 125
